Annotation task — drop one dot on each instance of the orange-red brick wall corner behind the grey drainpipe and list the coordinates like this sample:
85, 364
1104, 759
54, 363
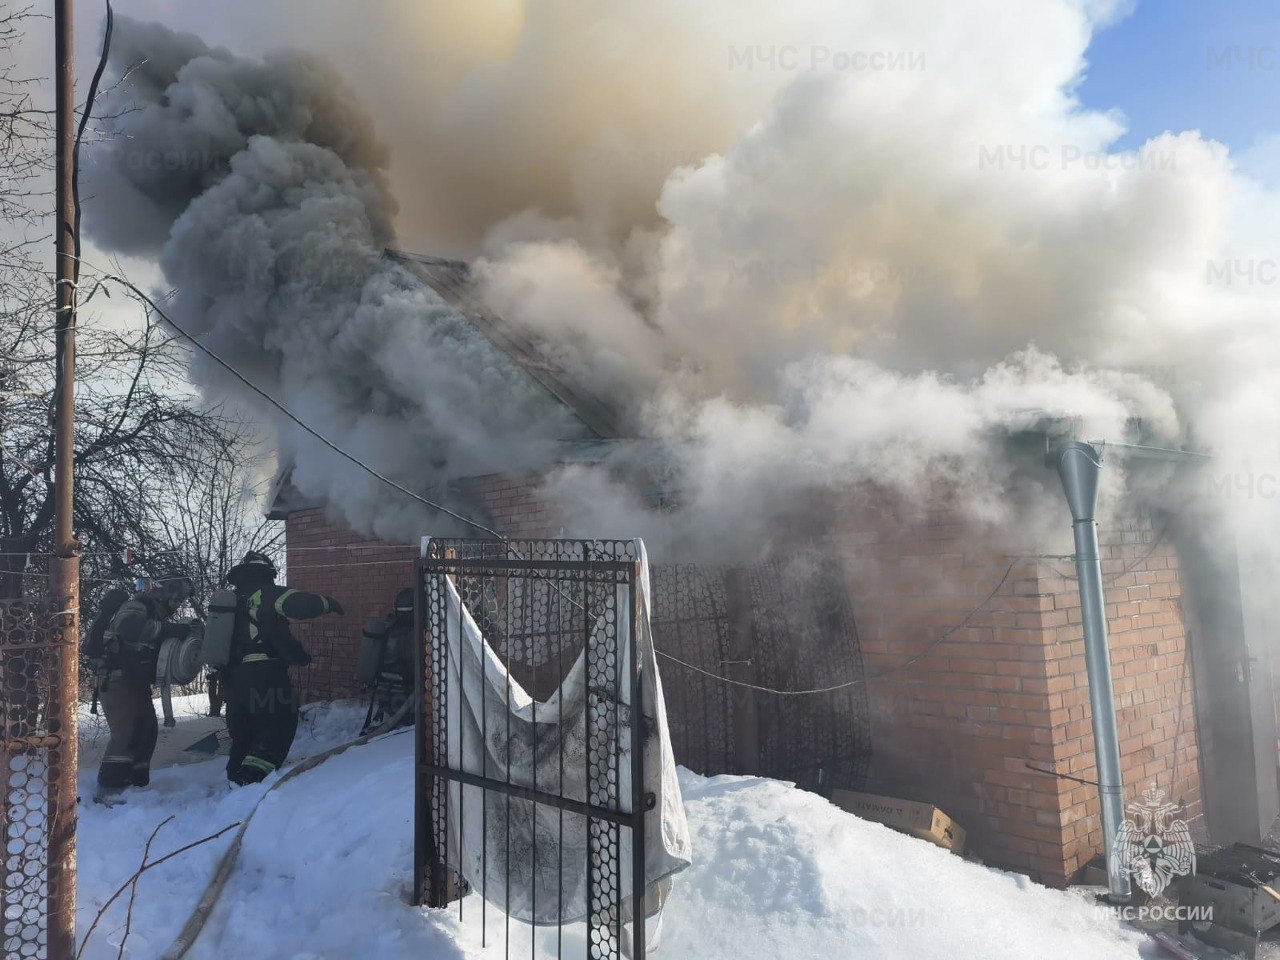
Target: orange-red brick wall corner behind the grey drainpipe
1008, 685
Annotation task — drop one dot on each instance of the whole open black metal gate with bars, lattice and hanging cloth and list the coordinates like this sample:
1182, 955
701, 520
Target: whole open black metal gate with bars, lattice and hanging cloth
541, 606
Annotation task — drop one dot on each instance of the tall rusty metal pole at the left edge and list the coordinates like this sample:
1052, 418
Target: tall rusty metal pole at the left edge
63, 661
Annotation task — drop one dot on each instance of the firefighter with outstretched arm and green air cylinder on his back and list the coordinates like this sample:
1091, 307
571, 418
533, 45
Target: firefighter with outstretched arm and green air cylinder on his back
262, 710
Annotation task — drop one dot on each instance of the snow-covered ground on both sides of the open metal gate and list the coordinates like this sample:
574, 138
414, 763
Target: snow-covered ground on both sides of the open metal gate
779, 874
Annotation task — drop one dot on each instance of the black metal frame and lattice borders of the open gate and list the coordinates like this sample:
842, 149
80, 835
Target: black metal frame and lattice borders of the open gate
433, 885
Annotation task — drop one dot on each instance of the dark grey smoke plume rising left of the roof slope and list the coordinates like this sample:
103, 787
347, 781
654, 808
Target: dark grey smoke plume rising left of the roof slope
260, 188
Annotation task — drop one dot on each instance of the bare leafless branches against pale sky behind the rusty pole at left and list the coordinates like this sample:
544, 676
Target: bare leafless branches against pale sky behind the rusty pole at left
158, 474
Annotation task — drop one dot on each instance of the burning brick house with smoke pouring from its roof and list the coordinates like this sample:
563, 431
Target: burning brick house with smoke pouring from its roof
972, 644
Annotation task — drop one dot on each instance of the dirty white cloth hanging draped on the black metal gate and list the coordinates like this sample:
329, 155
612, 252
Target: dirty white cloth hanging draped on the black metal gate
546, 743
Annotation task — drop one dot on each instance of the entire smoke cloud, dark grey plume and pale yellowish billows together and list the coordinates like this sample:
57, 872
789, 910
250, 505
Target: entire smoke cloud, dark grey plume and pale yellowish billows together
804, 245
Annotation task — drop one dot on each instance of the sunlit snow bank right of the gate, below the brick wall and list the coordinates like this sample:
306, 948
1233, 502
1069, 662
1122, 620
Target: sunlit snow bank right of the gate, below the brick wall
780, 872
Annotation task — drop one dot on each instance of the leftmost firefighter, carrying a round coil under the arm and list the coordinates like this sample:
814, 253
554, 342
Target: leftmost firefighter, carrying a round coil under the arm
131, 647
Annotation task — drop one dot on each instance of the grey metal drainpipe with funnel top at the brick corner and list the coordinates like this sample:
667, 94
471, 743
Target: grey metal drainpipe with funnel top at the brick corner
1081, 468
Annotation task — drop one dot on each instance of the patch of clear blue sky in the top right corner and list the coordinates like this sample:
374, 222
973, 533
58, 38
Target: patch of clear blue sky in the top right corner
1191, 65
